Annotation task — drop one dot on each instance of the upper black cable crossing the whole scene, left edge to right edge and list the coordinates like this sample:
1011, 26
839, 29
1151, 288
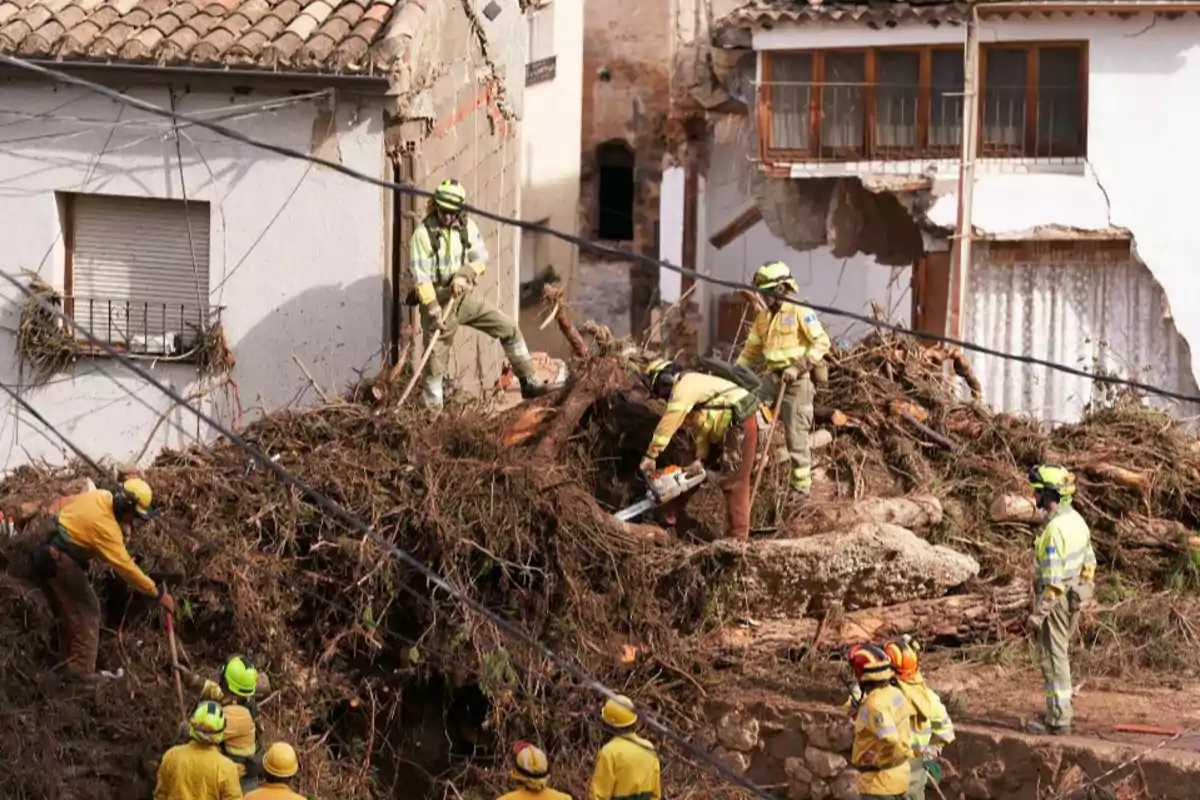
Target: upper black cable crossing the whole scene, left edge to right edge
407, 189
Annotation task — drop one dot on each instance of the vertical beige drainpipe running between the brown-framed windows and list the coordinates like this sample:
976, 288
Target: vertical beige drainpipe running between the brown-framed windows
963, 233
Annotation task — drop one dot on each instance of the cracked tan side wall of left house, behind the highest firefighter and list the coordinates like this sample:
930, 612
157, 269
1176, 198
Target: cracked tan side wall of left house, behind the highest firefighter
467, 97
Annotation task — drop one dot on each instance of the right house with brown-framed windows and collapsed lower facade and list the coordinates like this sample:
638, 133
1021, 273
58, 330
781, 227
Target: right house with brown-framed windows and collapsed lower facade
1017, 176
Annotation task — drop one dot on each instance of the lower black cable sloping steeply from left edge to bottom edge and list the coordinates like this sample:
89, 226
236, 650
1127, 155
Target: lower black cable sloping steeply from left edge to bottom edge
335, 510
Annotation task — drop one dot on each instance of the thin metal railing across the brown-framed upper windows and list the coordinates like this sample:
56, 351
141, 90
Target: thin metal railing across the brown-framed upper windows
832, 123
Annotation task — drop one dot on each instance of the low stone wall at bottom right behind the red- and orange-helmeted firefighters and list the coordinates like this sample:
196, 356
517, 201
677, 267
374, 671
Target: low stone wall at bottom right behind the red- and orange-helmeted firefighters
806, 748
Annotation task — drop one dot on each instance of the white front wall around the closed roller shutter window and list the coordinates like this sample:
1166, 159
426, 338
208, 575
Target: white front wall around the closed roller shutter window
298, 254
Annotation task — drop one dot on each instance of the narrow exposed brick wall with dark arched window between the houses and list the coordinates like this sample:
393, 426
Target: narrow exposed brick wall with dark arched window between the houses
627, 97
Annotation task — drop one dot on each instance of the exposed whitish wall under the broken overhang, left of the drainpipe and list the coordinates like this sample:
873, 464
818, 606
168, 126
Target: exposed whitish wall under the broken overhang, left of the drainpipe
847, 284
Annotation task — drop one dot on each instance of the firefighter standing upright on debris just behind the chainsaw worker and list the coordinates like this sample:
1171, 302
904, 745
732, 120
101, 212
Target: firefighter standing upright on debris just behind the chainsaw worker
790, 342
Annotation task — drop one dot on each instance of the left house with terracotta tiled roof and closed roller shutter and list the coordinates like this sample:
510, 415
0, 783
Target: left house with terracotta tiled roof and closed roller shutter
173, 243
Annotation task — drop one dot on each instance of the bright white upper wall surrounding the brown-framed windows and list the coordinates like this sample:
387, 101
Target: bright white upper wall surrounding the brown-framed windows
1141, 131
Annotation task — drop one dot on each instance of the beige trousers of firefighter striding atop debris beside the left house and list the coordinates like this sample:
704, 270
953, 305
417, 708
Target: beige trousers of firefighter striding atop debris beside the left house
472, 311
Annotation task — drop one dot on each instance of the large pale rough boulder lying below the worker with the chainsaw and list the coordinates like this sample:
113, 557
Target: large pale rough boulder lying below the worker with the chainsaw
871, 564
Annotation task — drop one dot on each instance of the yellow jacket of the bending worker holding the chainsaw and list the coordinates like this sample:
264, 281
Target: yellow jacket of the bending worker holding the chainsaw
706, 406
